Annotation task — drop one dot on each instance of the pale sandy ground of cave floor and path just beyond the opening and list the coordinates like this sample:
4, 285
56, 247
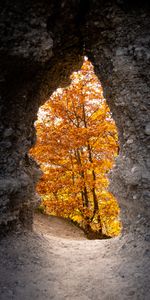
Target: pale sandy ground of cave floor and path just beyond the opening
57, 262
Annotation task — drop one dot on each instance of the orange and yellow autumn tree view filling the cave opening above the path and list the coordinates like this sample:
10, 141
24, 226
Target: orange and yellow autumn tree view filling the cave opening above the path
77, 142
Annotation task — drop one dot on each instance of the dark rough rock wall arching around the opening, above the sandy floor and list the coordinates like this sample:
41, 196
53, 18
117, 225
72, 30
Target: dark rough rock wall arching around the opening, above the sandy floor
42, 42
